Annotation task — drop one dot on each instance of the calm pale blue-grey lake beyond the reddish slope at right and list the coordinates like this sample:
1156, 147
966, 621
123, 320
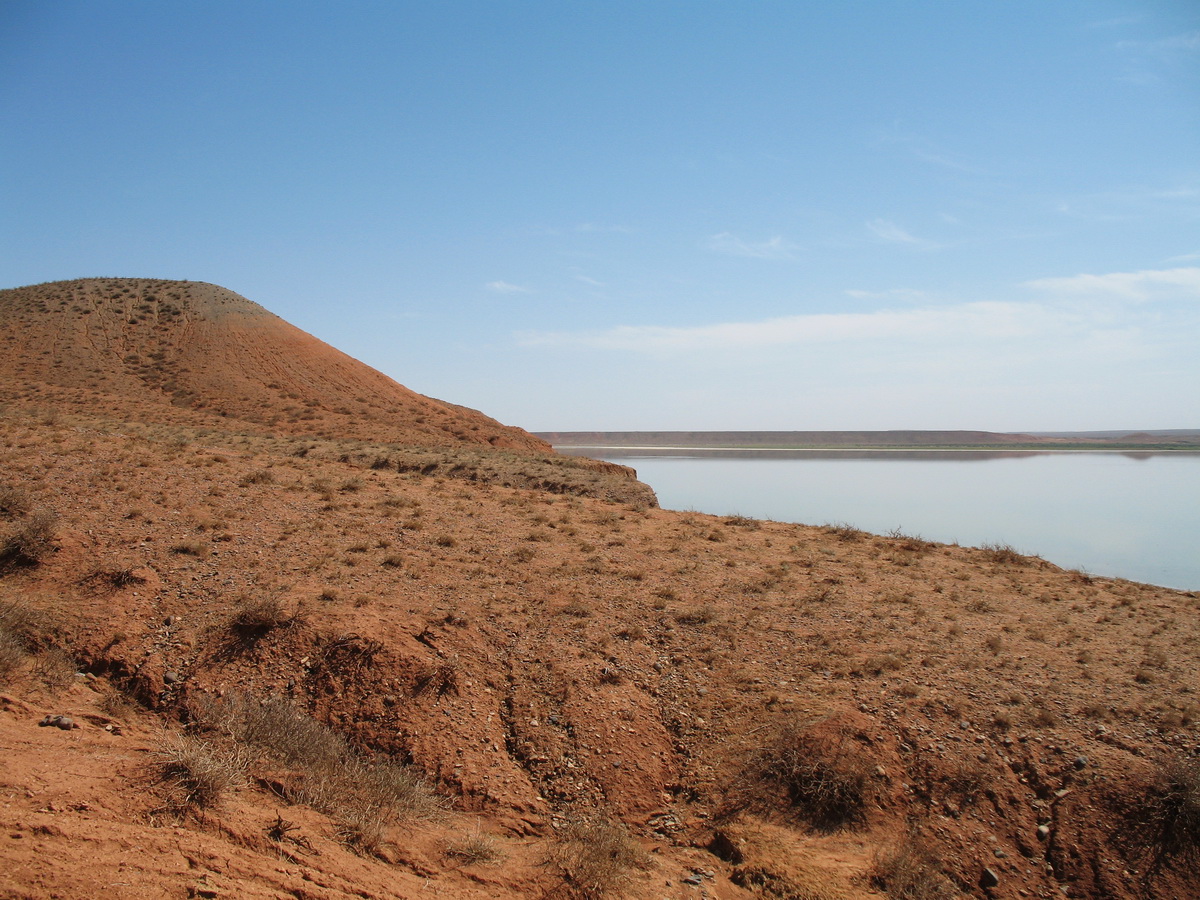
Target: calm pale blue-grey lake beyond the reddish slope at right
1129, 515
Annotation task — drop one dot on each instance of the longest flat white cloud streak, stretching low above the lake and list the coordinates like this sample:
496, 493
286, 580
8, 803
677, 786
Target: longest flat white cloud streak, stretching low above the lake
963, 322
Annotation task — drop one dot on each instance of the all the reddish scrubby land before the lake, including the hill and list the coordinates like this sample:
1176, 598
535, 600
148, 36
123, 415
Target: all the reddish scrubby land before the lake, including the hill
272, 626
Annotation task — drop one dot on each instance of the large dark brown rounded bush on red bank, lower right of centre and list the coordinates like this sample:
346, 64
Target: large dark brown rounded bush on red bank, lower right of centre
825, 772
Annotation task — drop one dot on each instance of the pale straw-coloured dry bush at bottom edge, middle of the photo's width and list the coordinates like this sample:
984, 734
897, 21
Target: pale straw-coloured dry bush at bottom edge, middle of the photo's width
595, 859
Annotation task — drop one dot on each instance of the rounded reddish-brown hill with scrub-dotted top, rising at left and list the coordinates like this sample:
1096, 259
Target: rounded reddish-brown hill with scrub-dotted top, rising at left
202, 349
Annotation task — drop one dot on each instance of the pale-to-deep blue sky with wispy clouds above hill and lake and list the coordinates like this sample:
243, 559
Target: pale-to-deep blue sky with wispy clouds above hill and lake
647, 215
